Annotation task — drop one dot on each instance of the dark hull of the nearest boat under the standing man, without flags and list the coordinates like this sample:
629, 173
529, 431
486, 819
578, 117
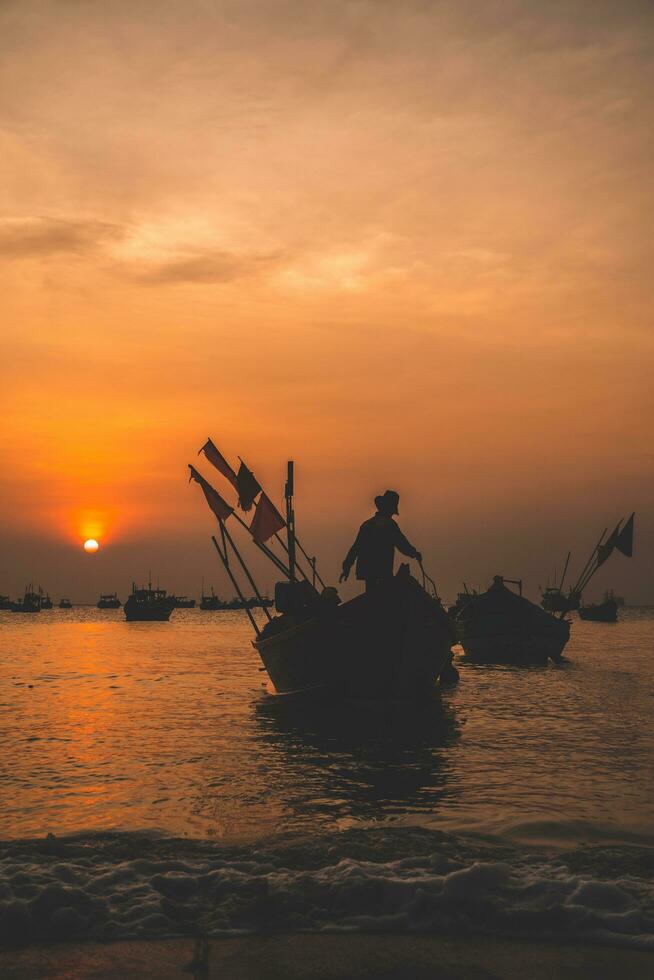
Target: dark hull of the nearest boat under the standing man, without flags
391, 645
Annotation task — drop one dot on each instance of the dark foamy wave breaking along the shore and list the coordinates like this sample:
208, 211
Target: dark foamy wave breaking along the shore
112, 886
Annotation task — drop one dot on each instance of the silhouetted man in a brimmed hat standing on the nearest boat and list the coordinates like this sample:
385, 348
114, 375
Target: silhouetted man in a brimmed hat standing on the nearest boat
374, 548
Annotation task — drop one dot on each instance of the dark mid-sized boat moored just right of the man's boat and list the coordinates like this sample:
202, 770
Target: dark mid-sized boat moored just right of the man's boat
502, 626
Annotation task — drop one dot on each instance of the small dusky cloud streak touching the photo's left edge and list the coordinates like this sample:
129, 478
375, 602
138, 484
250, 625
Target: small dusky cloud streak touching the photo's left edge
42, 237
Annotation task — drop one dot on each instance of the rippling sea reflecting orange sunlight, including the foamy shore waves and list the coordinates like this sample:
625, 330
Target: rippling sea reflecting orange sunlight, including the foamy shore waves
152, 786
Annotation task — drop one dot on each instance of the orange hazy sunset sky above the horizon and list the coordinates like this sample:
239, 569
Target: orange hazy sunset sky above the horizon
407, 244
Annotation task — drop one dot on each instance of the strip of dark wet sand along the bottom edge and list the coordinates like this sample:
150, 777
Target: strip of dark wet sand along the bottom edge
315, 956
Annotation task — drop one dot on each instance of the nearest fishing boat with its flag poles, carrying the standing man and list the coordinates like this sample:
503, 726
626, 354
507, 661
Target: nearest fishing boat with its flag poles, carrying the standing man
390, 644
